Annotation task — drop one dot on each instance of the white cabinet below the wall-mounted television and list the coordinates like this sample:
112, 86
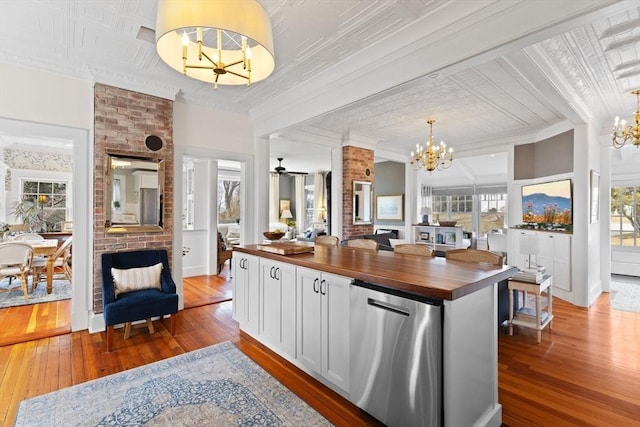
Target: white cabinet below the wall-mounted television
548, 249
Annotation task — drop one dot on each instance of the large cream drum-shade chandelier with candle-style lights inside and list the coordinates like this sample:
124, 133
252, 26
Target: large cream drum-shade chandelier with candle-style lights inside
227, 42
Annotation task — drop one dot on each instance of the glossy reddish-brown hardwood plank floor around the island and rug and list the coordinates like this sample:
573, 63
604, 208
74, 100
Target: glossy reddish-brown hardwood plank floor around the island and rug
585, 371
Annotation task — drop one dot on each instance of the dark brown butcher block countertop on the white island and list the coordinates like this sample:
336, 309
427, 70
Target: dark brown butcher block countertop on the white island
433, 277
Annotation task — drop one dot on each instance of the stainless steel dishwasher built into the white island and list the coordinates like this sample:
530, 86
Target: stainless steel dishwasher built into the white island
396, 356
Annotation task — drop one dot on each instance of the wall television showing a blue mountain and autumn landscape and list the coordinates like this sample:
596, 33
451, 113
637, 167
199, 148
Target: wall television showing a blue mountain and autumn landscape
548, 203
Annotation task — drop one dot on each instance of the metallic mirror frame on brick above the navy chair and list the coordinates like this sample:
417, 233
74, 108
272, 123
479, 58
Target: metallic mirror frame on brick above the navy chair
108, 195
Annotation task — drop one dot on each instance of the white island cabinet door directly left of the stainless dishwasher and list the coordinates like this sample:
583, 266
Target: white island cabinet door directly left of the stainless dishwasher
334, 291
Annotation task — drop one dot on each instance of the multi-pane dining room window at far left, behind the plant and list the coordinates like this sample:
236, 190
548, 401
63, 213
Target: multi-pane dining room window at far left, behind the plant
51, 198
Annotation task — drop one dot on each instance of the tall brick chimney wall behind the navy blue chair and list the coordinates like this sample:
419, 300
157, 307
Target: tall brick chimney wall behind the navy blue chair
123, 120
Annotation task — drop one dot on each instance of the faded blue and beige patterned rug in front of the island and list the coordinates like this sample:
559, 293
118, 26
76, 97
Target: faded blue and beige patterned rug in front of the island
214, 386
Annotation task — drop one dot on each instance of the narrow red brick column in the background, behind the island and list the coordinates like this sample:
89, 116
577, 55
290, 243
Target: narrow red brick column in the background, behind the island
355, 162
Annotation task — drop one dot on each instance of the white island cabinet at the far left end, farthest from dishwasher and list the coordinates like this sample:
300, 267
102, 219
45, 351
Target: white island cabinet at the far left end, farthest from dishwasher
246, 292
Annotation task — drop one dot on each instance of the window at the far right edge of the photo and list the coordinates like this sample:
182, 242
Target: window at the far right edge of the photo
625, 216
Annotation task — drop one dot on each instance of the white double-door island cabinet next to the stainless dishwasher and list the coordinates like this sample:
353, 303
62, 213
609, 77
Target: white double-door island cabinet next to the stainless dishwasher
323, 324
